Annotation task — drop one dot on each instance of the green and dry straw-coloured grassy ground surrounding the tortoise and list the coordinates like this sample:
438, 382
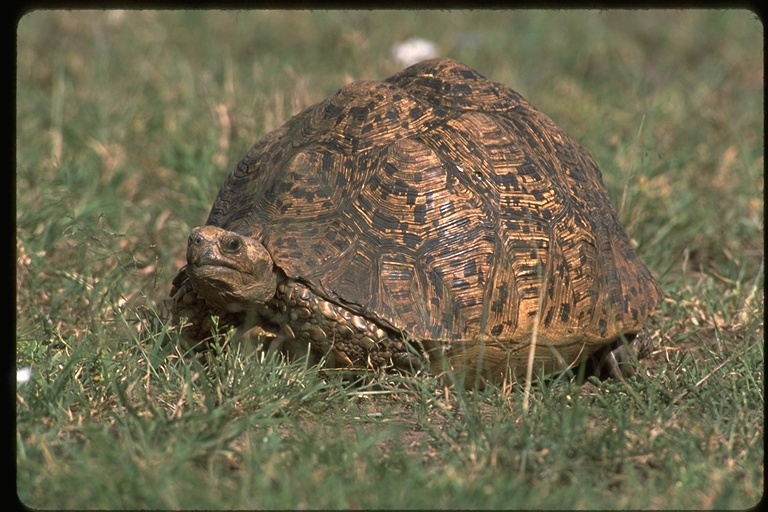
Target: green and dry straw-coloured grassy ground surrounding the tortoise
127, 123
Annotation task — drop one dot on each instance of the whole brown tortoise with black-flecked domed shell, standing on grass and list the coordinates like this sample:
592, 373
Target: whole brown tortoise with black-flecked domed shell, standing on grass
433, 220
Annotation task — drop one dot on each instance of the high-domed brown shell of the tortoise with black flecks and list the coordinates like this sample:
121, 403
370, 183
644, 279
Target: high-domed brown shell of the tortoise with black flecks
442, 204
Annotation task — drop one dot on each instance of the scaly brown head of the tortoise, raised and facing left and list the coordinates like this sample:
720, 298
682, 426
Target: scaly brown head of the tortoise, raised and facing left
231, 271
